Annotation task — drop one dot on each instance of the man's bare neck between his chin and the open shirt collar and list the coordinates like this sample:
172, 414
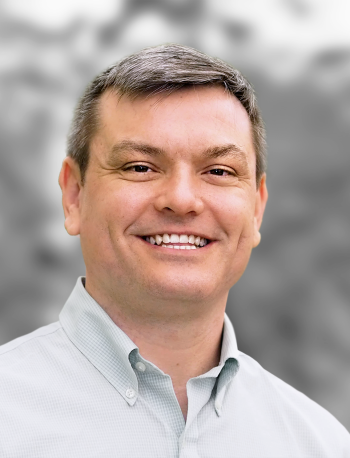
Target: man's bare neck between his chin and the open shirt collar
184, 342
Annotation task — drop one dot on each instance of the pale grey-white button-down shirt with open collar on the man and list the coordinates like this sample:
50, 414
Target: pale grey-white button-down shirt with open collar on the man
80, 388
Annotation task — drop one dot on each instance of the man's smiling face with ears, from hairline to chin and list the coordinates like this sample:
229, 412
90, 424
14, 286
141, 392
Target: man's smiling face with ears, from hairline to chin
177, 164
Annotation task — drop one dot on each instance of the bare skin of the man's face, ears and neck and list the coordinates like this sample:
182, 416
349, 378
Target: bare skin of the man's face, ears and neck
171, 303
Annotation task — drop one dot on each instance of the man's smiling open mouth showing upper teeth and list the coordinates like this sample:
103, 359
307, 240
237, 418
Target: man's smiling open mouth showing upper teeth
177, 241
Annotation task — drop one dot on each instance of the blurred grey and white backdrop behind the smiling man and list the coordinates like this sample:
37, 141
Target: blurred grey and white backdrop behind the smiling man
291, 309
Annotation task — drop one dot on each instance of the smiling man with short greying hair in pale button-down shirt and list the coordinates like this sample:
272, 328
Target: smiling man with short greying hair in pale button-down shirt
165, 184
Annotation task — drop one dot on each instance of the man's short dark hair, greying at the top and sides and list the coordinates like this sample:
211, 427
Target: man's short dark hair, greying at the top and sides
162, 69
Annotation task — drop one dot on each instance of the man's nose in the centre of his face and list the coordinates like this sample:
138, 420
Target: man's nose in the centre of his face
180, 193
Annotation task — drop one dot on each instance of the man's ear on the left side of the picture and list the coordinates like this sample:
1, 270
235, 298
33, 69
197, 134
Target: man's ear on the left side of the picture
70, 183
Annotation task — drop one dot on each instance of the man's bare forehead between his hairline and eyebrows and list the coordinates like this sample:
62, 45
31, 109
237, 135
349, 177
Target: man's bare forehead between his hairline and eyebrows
190, 119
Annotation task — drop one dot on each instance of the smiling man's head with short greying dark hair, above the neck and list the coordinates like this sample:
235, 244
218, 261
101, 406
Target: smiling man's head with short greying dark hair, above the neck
168, 141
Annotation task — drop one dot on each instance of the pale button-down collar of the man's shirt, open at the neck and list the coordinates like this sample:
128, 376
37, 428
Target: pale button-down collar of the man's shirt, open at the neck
108, 348
